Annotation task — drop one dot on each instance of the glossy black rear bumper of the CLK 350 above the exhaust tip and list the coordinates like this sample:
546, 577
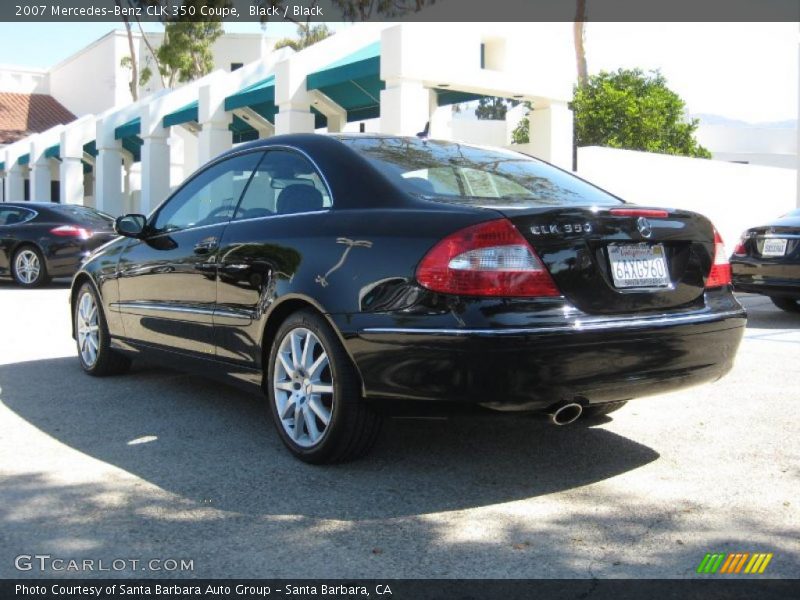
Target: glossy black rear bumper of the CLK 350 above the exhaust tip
535, 367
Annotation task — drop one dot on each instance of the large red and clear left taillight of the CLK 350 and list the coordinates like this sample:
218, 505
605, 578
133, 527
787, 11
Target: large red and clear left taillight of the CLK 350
490, 259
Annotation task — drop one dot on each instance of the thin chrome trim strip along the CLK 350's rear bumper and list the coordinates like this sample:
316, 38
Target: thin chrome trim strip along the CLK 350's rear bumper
578, 326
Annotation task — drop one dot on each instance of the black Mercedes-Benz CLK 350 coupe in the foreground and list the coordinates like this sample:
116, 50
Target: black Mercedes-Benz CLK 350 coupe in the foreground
342, 274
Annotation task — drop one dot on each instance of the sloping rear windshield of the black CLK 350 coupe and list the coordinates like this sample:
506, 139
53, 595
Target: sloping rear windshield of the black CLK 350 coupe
452, 172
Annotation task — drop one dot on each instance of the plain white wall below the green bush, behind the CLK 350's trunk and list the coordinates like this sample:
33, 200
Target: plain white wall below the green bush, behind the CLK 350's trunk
733, 196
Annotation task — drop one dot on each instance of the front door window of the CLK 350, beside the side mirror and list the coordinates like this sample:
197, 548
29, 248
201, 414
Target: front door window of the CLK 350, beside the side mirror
210, 197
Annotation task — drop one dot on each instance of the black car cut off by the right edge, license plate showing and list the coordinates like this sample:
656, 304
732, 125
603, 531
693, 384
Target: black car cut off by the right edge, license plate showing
767, 261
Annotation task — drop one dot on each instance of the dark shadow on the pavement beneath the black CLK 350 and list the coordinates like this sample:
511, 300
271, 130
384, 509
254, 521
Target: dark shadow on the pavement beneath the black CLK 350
212, 444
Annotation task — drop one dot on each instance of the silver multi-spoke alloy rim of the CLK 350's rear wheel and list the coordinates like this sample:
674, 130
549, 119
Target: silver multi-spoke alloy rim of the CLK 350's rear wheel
303, 387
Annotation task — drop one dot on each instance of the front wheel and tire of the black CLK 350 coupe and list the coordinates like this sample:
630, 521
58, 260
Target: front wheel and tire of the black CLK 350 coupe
95, 354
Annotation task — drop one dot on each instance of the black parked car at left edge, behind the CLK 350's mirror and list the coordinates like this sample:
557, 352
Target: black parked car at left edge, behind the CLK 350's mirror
42, 240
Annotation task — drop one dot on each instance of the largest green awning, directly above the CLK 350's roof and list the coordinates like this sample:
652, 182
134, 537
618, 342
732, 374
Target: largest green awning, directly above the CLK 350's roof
353, 82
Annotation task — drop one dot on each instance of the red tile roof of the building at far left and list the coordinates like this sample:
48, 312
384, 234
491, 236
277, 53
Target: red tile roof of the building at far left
24, 114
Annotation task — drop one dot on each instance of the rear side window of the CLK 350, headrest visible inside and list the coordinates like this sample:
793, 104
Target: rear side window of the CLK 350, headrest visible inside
285, 182
